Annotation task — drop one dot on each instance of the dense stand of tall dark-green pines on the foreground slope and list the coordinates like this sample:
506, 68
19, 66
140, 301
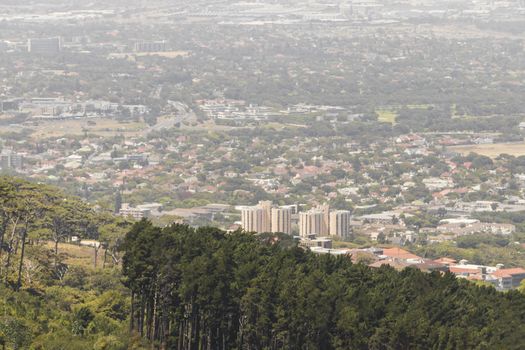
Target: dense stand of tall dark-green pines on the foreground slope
204, 289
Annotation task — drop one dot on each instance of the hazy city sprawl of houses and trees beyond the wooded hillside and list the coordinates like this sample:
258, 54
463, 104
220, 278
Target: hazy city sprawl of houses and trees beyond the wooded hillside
302, 126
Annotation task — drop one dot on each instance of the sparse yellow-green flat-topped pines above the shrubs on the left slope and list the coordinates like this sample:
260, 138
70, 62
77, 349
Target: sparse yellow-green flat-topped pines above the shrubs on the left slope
33, 214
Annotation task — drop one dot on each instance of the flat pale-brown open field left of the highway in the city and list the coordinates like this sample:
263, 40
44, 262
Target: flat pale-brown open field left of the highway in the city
101, 126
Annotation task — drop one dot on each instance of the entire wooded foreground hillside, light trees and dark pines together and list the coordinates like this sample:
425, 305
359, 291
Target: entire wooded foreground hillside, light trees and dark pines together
183, 288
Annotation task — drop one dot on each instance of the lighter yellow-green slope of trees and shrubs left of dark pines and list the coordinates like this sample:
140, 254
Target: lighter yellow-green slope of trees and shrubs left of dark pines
55, 295
